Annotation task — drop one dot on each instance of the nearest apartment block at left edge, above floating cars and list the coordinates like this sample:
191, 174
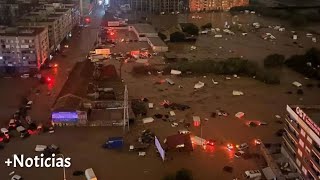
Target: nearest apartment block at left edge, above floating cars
23, 48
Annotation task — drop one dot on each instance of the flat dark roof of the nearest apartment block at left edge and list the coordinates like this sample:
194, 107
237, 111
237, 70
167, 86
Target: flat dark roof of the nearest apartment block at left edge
20, 31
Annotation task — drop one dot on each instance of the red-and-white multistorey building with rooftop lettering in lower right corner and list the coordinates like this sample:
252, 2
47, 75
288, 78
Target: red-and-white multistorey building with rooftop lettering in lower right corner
301, 140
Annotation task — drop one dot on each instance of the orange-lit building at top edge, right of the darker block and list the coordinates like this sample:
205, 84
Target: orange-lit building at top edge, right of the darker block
211, 5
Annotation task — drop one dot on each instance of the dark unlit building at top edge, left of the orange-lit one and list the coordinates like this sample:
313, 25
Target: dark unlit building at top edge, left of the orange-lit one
157, 6
